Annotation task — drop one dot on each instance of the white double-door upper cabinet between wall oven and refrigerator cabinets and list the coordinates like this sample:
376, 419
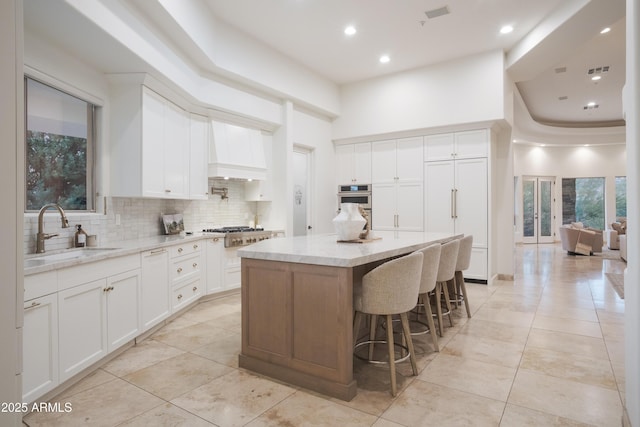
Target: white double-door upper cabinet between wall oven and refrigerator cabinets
397, 160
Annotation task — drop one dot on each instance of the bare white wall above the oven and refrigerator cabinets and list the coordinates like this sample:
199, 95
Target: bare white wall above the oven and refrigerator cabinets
467, 90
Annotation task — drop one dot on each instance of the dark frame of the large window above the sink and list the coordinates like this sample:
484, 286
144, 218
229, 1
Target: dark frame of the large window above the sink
91, 149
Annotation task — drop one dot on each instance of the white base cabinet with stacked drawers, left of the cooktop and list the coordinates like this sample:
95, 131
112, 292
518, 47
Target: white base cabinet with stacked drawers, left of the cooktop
185, 274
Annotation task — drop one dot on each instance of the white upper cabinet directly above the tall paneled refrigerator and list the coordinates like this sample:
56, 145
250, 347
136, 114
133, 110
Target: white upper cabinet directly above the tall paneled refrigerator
458, 145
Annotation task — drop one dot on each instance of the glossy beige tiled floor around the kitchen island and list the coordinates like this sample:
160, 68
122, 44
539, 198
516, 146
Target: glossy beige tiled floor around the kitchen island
543, 350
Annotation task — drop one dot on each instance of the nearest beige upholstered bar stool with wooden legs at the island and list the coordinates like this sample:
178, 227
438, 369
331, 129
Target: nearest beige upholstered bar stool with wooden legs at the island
389, 289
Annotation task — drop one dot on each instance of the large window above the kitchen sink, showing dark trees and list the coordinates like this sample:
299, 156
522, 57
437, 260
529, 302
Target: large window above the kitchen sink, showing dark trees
59, 149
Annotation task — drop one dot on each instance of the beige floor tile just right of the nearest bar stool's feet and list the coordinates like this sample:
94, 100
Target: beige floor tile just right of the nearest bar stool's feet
484, 379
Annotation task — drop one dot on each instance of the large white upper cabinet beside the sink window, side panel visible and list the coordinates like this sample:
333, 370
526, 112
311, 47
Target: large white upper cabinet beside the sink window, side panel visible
150, 145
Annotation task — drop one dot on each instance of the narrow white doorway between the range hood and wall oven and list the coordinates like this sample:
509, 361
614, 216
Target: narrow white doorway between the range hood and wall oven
302, 197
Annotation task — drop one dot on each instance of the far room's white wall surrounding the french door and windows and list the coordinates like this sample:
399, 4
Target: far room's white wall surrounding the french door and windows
606, 161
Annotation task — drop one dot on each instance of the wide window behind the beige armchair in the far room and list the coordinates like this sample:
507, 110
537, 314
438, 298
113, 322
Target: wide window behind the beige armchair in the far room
583, 201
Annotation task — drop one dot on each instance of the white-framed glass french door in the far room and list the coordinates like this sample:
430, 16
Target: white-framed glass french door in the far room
537, 209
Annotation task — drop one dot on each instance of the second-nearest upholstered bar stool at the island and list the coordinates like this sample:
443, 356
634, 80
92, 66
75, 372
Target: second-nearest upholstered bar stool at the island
430, 262
